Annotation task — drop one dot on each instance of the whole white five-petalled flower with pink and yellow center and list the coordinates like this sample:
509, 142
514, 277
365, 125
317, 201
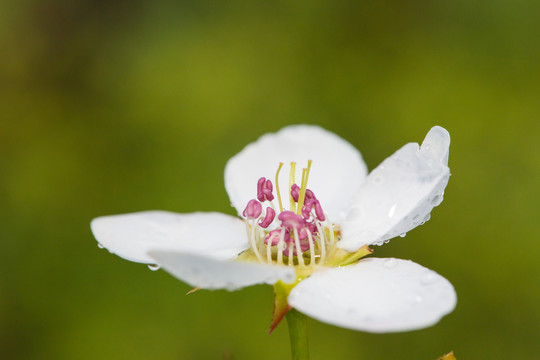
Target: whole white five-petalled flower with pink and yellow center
330, 225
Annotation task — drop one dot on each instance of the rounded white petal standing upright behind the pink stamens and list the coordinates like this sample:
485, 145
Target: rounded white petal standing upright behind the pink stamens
337, 170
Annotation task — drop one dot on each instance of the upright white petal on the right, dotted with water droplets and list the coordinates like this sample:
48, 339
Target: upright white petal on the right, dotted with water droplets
400, 193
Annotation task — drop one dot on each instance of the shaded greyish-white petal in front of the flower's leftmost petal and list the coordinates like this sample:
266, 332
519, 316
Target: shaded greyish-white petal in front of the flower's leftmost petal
208, 273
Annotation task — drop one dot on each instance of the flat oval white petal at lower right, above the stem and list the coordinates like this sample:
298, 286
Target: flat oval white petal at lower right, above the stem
376, 295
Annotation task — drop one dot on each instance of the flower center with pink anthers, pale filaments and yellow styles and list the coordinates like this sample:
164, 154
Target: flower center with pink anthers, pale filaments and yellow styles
298, 236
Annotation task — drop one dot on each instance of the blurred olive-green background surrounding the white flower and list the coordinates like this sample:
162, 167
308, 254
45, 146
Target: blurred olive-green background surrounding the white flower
114, 107
